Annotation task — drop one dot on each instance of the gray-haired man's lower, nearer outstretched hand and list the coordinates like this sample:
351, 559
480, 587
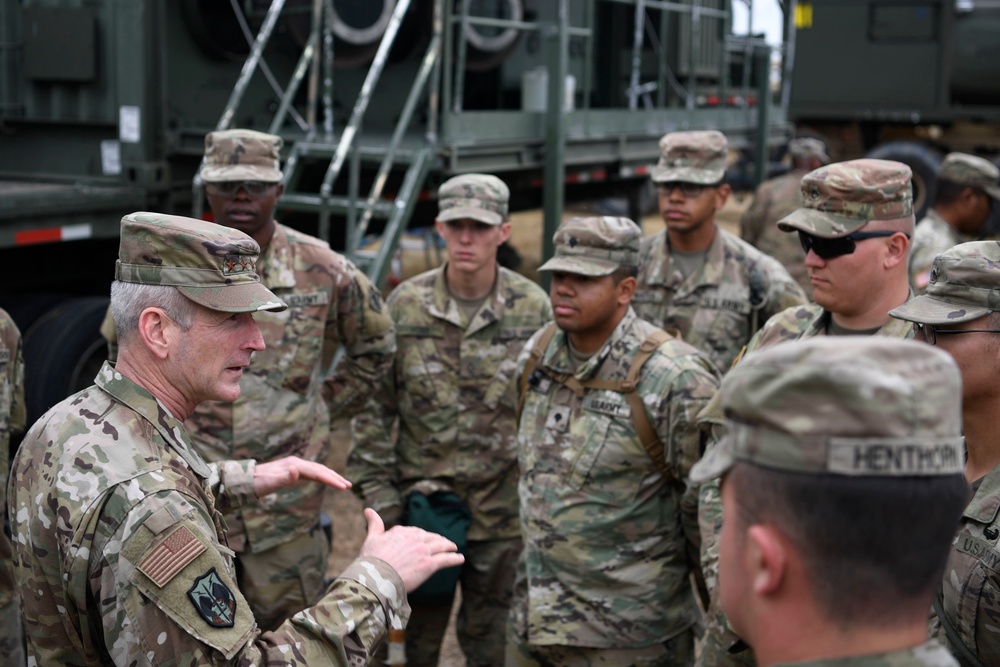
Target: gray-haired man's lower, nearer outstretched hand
414, 553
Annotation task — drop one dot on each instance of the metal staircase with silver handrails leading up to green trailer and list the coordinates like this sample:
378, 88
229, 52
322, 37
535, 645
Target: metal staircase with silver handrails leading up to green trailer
319, 143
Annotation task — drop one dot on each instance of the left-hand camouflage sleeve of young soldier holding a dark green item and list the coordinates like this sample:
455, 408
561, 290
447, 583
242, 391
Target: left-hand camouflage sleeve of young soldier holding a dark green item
372, 462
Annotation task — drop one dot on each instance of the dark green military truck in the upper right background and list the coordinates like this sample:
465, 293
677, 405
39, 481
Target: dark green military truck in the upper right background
906, 80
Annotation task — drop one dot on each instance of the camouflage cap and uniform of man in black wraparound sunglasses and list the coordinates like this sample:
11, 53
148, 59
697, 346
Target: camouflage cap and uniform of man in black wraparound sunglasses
822, 212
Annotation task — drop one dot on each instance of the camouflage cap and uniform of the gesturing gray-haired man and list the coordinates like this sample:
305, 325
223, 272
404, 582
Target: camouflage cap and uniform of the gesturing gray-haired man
121, 550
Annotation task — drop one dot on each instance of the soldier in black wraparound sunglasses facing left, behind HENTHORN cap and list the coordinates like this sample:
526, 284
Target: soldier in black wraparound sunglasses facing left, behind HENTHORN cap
855, 227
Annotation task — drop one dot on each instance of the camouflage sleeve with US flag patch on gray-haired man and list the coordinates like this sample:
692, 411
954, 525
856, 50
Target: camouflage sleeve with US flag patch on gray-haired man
167, 596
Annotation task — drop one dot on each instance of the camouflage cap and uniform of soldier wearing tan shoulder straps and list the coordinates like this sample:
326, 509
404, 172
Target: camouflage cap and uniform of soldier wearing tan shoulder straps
604, 571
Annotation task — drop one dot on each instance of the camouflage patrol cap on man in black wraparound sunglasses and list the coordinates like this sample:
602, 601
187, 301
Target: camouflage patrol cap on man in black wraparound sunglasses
840, 198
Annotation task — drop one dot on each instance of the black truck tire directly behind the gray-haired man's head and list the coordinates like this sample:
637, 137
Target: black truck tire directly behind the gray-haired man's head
63, 350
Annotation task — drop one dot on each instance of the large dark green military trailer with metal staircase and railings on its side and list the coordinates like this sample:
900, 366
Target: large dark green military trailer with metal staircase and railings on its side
104, 105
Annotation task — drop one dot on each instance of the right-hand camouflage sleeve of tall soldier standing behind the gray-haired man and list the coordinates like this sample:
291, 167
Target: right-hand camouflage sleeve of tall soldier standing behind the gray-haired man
363, 327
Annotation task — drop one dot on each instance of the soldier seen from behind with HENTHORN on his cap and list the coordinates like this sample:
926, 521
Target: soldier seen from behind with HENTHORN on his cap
842, 487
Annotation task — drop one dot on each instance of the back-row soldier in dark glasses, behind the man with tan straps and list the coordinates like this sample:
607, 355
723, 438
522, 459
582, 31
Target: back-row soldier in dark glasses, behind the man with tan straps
698, 280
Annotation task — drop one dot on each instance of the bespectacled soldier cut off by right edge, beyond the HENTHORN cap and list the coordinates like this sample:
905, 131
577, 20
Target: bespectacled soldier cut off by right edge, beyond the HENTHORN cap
960, 313
